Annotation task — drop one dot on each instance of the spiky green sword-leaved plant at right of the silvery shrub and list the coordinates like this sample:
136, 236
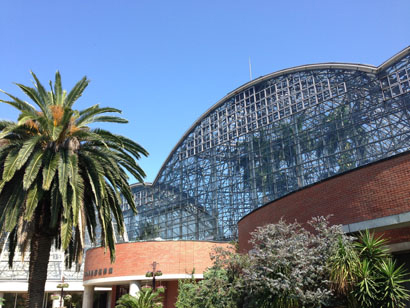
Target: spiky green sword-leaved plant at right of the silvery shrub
365, 273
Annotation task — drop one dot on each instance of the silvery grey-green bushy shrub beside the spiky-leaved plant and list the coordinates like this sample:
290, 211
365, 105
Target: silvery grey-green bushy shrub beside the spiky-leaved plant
288, 265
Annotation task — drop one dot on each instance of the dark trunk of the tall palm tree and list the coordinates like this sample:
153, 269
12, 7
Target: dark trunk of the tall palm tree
39, 255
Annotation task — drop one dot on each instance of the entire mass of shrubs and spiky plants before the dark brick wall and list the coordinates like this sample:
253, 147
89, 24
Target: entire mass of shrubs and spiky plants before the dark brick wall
291, 267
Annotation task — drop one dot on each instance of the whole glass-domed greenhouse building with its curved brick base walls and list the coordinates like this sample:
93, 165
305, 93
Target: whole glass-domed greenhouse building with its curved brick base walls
319, 139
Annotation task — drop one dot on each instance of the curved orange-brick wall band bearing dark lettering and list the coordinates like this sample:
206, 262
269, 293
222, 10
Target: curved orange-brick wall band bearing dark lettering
174, 257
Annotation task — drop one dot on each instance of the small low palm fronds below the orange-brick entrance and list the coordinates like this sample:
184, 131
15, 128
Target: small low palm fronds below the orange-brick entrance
146, 298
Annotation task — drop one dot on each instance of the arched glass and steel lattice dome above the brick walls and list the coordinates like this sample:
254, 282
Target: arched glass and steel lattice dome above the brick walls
273, 136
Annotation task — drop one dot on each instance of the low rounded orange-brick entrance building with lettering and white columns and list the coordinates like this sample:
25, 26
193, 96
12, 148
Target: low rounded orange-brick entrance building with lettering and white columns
175, 259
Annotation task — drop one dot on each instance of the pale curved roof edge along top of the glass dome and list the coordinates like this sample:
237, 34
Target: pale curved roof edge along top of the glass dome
308, 67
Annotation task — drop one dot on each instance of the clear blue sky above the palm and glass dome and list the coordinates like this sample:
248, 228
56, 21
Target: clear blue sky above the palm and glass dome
164, 63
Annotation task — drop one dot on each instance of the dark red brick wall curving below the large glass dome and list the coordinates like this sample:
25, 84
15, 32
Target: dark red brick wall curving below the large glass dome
374, 191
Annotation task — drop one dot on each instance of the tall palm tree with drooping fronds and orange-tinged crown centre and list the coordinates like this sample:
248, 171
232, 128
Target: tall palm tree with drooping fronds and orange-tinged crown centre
58, 177
